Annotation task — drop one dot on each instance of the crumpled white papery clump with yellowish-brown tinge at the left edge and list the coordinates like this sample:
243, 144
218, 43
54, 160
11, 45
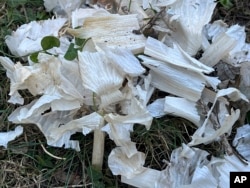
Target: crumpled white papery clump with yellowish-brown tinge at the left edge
59, 83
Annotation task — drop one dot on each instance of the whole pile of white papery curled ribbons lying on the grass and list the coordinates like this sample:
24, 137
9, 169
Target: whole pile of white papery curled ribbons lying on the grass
108, 89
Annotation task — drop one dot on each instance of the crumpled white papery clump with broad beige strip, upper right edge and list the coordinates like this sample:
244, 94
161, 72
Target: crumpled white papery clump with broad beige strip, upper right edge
233, 48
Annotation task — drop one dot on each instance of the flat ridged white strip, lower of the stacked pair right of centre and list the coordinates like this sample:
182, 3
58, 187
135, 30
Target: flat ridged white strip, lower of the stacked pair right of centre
177, 80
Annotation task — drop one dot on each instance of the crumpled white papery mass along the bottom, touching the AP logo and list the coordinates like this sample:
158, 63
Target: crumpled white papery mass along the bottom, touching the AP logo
189, 168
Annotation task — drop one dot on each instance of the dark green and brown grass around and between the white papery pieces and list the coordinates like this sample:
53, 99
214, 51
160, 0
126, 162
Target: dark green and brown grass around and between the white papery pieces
26, 164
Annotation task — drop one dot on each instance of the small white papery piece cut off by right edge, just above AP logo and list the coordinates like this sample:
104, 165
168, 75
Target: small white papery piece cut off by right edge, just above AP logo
242, 141
